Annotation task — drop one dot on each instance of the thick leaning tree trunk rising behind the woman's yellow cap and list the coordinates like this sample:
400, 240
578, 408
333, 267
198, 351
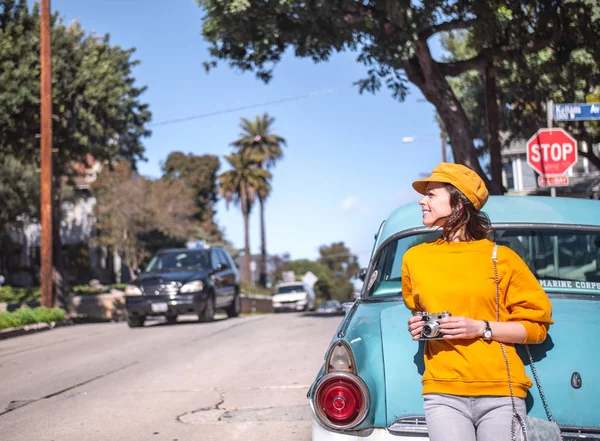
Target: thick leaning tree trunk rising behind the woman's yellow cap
425, 73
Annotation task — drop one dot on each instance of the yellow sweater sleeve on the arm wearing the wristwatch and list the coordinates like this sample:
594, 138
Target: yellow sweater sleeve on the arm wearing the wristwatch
526, 301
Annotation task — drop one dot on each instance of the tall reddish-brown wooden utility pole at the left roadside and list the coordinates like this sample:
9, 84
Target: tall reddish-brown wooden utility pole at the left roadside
46, 156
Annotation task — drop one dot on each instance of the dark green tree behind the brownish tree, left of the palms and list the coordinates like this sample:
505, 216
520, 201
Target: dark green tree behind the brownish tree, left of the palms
200, 174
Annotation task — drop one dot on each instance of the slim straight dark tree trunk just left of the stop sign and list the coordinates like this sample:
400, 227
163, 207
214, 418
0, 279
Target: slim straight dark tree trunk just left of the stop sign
492, 119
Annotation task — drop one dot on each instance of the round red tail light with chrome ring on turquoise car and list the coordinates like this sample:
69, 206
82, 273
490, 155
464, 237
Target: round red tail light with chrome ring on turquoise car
341, 400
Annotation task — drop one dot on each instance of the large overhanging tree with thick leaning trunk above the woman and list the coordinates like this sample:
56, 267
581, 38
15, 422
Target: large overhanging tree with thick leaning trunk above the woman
392, 39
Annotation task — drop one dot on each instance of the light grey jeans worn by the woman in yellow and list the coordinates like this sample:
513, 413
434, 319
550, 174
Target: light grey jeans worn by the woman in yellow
458, 418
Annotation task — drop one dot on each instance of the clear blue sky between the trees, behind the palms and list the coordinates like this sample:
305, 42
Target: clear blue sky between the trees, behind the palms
345, 167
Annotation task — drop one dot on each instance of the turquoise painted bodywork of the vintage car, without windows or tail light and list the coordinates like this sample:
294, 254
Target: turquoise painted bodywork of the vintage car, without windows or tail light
391, 363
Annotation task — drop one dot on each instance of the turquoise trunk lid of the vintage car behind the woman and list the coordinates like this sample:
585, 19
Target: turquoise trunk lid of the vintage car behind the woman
570, 352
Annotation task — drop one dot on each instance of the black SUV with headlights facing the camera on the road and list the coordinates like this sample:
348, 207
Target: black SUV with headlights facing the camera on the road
184, 280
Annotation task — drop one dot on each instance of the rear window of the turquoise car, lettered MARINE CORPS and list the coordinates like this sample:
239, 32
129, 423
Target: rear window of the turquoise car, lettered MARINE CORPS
560, 259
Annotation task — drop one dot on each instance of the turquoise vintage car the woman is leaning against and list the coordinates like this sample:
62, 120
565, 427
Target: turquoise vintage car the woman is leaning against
369, 387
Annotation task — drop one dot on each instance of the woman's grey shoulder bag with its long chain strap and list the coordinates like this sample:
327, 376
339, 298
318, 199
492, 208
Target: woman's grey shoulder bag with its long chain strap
532, 429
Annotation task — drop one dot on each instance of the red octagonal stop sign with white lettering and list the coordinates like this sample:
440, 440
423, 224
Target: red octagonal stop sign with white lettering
551, 151
